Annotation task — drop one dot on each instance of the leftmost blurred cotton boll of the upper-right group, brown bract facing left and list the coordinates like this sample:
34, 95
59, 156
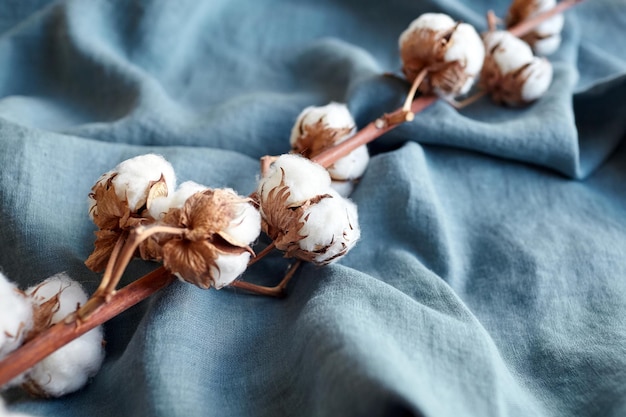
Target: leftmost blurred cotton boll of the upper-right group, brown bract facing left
451, 52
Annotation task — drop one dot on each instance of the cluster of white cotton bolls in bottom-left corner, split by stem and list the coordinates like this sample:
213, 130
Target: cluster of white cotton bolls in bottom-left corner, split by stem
25, 314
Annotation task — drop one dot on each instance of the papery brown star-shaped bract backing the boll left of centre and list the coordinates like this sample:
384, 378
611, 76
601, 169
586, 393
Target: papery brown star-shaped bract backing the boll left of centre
193, 254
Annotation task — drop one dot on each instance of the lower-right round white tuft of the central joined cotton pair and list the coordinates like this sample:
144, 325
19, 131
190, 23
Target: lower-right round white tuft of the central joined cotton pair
331, 224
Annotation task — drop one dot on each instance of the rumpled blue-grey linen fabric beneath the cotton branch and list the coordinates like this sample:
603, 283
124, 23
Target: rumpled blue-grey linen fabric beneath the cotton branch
491, 275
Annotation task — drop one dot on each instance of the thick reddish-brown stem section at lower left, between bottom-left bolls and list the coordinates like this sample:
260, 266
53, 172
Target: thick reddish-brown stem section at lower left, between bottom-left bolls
69, 329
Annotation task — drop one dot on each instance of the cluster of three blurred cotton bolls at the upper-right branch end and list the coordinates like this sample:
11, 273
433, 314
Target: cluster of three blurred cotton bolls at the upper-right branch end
453, 56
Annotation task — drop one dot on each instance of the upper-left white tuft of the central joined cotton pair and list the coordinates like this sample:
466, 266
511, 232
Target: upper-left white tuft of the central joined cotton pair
305, 179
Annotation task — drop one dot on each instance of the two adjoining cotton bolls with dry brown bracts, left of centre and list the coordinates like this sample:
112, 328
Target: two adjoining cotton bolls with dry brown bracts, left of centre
217, 226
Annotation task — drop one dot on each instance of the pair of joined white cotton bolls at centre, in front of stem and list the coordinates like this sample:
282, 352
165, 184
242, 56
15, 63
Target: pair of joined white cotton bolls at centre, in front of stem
305, 217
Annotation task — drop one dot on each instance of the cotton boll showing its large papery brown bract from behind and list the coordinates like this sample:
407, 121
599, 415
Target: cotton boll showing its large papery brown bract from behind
213, 249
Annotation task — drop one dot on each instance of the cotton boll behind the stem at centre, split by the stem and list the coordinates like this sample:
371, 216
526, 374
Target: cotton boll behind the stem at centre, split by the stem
317, 129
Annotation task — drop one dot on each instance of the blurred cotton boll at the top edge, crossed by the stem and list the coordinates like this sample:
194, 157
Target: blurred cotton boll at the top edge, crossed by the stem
545, 38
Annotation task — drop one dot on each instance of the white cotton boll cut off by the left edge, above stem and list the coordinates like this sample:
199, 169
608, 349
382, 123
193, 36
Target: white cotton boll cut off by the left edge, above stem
16, 316
